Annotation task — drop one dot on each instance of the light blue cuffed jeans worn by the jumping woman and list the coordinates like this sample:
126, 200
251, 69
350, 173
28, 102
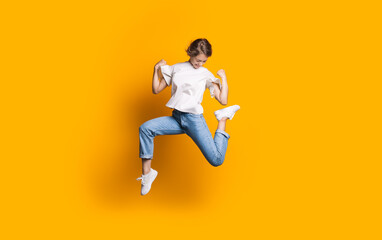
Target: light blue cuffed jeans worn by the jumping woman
194, 125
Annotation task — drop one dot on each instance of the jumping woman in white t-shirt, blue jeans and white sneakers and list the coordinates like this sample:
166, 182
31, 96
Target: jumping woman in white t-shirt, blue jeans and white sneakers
189, 80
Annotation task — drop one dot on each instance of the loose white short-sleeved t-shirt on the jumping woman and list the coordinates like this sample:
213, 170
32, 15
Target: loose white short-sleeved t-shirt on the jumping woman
188, 86
